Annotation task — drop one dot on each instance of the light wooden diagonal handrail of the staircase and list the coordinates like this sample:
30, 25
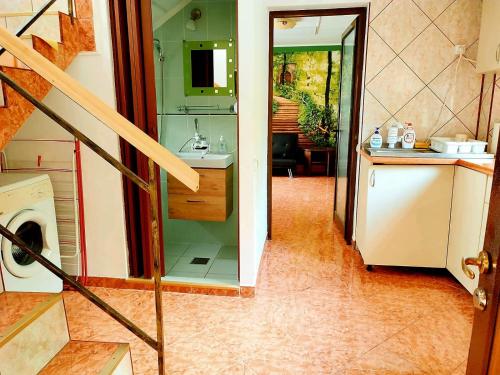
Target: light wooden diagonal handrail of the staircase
100, 110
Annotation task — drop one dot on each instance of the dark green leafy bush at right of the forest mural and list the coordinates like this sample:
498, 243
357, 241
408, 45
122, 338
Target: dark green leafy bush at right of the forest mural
317, 122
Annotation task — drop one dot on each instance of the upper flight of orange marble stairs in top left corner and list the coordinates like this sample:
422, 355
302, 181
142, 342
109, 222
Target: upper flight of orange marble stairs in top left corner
60, 39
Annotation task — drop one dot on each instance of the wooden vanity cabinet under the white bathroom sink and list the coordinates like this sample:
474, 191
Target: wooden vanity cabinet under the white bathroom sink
212, 202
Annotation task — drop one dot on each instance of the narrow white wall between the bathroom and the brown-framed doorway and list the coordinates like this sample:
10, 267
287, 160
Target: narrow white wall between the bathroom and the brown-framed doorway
253, 30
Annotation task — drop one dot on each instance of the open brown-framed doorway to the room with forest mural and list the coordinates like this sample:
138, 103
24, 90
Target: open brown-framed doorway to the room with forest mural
315, 86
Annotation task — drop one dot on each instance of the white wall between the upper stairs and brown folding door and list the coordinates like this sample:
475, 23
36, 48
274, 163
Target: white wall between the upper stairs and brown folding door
104, 211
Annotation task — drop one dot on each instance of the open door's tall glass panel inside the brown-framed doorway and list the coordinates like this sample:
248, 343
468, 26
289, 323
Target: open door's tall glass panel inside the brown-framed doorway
345, 120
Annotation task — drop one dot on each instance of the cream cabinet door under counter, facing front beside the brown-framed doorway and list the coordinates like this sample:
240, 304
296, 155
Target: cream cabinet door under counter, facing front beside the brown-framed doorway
407, 215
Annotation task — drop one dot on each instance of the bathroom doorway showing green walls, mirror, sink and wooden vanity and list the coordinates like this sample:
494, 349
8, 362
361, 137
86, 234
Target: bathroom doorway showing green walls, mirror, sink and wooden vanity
195, 46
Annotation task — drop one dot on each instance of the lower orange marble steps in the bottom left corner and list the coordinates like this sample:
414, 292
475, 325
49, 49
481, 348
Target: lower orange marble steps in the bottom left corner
34, 339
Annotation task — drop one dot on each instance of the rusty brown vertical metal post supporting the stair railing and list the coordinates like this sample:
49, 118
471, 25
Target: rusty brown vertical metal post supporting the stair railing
155, 245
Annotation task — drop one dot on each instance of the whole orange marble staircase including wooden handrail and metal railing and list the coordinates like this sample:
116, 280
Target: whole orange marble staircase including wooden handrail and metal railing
34, 336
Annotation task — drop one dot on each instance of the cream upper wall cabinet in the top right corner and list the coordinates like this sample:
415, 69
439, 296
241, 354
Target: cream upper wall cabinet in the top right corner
488, 55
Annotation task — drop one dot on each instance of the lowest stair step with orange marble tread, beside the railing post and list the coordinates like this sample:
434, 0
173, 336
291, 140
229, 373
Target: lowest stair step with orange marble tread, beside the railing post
90, 357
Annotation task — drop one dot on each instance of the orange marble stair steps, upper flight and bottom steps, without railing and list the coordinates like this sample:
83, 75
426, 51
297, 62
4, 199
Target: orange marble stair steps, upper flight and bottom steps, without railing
34, 335
